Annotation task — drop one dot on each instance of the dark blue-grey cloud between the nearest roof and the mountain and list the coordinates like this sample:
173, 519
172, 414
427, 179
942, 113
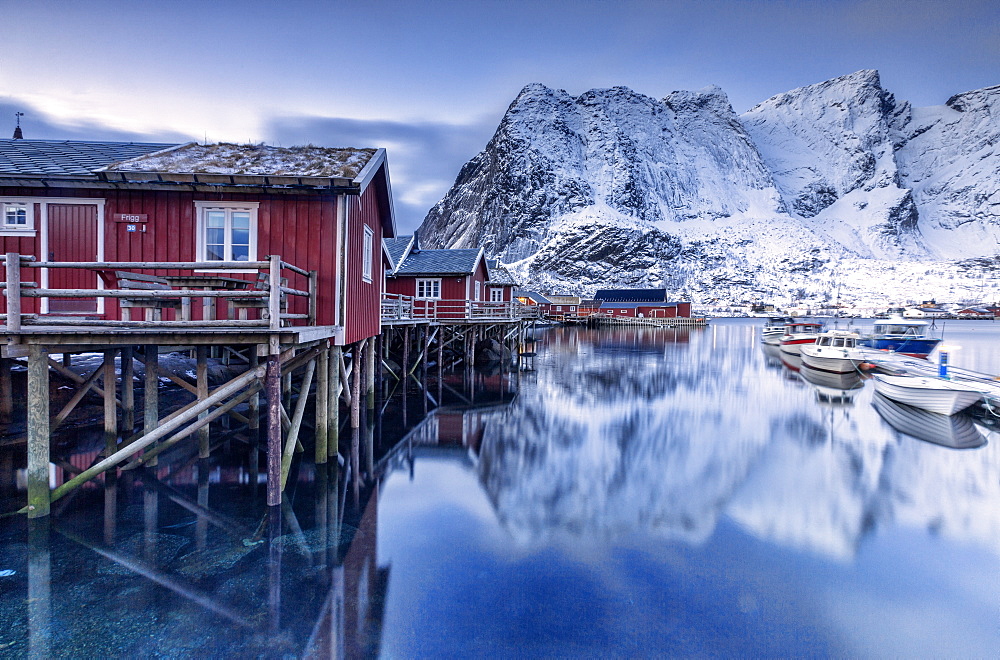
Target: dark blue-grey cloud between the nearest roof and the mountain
424, 157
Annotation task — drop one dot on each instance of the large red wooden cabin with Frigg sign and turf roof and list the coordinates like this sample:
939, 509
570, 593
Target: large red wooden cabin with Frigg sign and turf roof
321, 209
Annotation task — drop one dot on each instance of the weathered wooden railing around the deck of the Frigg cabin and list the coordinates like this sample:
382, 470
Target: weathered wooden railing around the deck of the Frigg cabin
270, 287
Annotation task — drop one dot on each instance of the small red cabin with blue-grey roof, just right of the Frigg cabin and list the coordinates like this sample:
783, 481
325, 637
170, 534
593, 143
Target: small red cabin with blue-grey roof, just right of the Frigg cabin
443, 283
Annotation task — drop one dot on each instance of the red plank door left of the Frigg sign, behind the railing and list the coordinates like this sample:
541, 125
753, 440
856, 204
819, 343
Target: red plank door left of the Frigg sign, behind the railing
72, 232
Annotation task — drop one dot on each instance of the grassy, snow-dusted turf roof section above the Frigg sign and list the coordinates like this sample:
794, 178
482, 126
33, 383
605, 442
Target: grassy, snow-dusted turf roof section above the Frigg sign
252, 159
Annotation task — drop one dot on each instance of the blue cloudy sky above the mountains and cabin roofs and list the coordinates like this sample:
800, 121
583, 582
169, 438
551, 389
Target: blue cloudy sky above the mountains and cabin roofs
430, 80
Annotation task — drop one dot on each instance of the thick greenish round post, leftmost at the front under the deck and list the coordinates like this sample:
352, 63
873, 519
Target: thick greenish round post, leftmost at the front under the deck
38, 431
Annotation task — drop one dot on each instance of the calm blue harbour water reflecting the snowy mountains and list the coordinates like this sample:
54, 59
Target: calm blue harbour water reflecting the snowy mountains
646, 492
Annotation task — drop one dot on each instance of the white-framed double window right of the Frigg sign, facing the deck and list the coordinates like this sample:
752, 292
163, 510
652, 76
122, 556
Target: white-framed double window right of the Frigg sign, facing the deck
227, 231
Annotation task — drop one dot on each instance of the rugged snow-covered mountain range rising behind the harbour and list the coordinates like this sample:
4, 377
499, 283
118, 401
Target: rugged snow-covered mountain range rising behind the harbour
832, 186
